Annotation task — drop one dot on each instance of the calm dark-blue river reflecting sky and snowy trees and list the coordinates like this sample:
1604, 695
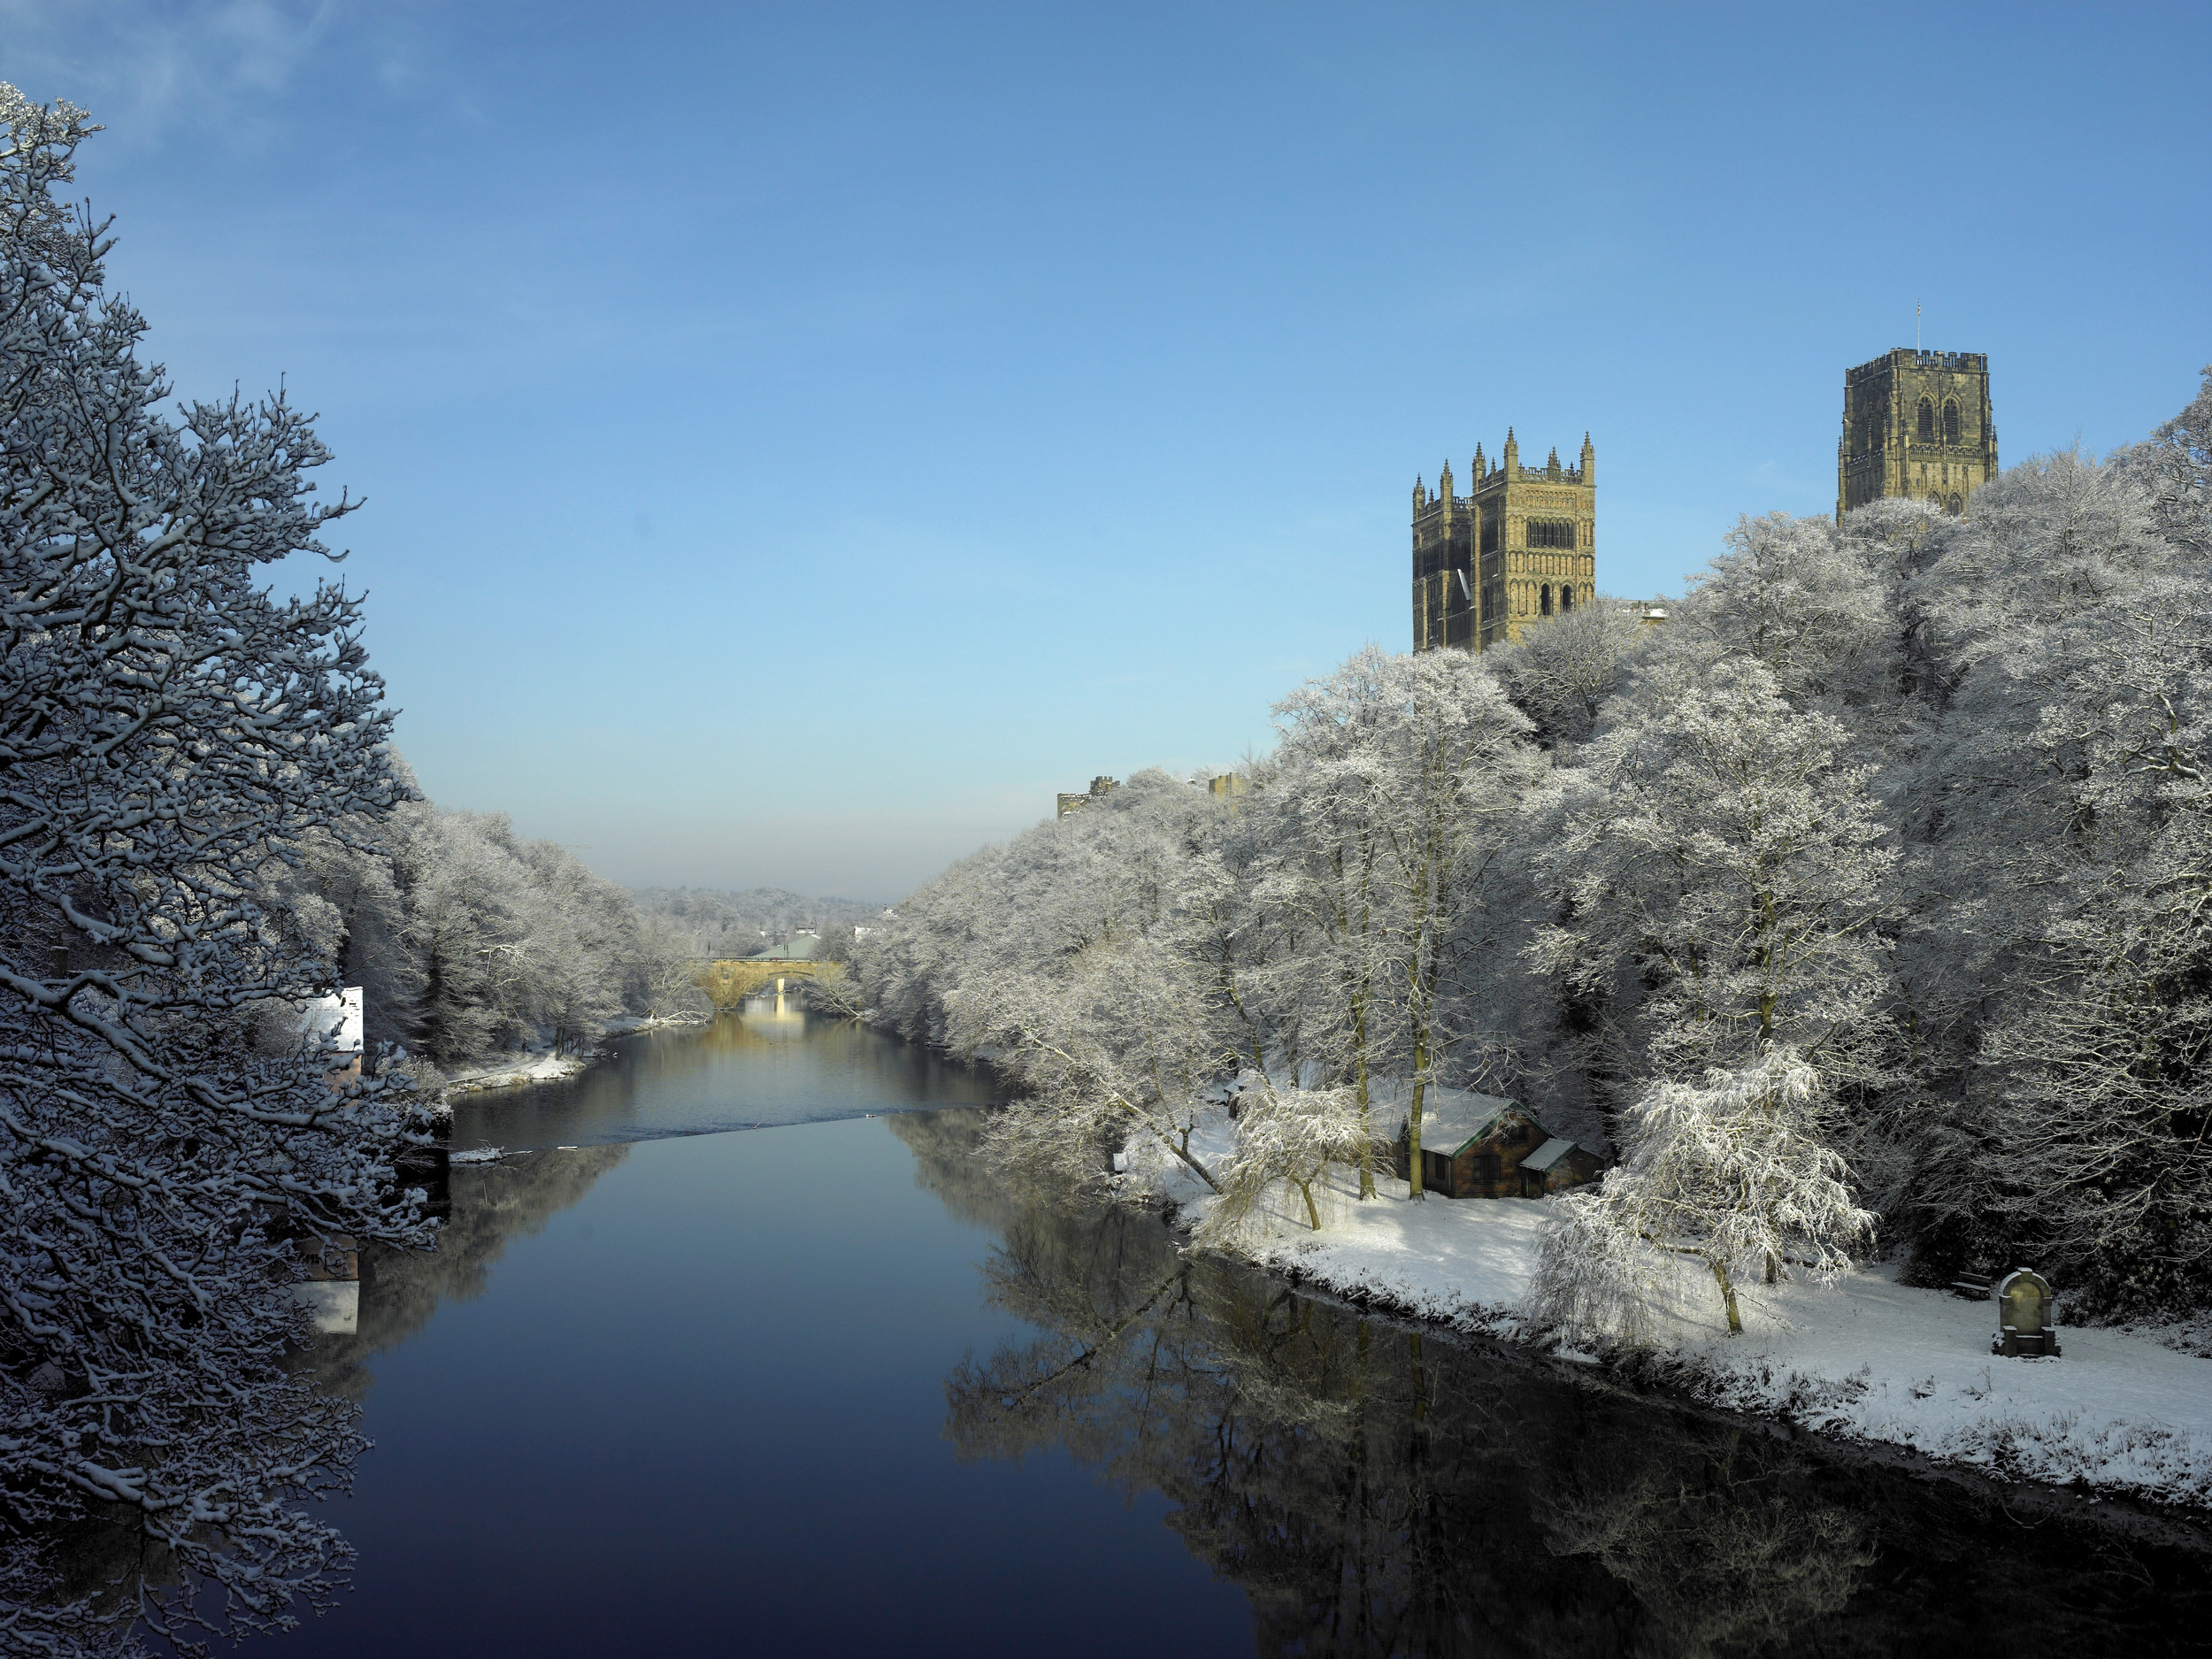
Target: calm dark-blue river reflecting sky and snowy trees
831, 1388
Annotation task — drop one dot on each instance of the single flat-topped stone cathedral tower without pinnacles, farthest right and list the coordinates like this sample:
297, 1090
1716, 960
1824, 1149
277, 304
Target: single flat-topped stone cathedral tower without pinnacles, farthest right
1919, 426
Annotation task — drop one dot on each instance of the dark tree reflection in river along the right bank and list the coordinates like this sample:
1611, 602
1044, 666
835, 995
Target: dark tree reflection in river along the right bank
1379, 1490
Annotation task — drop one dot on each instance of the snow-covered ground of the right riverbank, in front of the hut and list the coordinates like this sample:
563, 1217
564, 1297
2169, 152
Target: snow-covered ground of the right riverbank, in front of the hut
1864, 1359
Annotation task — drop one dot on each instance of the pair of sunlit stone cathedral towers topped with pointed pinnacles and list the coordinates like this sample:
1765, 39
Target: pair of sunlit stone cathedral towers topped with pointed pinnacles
1519, 547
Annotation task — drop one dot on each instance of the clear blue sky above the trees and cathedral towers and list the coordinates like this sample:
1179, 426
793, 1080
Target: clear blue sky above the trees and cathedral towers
804, 439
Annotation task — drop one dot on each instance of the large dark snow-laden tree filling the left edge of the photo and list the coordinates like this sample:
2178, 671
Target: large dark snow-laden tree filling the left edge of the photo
171, 738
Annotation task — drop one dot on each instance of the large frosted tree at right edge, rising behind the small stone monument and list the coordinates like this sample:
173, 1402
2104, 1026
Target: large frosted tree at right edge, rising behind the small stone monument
2083, 1127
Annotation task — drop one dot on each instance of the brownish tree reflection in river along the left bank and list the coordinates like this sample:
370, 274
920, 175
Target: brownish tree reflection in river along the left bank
492, 1204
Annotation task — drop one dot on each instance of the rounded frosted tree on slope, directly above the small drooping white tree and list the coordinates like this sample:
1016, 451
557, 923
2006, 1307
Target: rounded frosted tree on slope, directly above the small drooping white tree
1720, 879
